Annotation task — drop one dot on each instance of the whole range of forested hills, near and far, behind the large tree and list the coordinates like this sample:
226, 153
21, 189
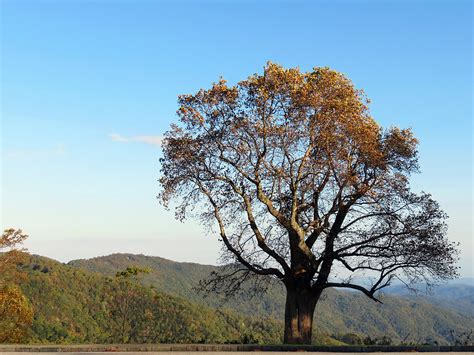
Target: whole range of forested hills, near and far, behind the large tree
77, 303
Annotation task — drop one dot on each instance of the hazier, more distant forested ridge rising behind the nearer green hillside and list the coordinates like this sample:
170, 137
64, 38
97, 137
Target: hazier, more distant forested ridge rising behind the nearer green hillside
399, 317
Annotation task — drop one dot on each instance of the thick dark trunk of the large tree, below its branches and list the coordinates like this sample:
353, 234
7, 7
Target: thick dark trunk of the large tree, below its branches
299, 311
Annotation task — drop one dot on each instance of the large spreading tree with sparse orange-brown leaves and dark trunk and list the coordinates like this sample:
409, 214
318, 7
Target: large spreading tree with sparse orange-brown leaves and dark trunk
303, 184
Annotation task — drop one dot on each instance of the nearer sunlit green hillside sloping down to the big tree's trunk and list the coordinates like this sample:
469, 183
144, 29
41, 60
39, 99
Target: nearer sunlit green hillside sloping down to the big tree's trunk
73, 306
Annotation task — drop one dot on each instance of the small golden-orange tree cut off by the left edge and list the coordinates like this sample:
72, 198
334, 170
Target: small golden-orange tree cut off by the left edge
16, 314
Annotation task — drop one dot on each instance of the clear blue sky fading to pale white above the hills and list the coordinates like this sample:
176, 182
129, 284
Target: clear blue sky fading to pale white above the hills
87, 88
